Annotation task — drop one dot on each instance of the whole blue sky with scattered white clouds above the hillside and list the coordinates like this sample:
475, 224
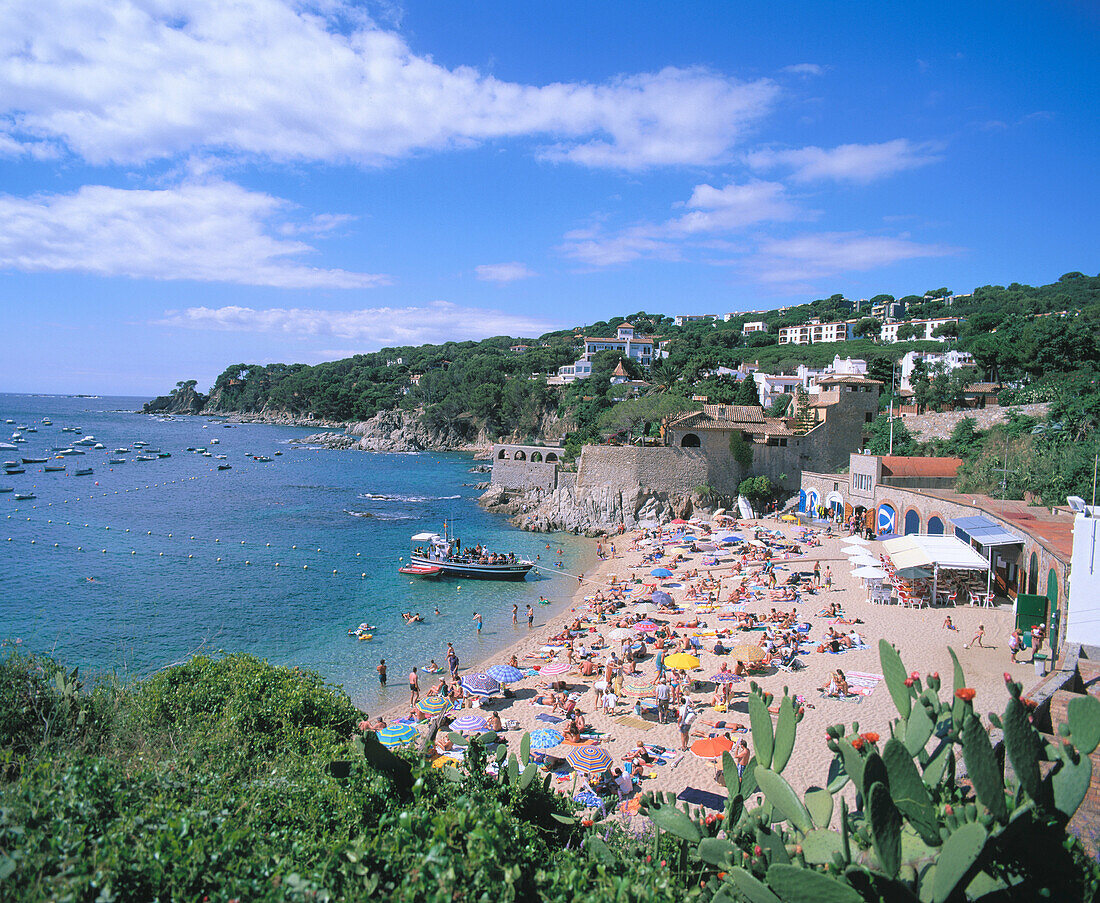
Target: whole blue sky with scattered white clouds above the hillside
189, 184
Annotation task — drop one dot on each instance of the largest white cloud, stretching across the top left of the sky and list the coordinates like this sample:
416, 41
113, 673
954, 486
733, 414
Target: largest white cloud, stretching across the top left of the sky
137, 81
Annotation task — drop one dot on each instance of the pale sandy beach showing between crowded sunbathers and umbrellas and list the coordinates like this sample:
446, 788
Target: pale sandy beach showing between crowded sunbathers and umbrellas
920, 635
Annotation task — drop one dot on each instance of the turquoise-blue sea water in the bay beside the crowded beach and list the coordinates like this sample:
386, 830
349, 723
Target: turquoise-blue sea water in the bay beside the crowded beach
160, 592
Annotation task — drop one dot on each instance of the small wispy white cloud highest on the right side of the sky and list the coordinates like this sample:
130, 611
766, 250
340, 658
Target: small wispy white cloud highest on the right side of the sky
859, 163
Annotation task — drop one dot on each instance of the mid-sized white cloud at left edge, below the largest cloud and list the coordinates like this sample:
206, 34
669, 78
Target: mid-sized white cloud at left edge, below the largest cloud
214, 232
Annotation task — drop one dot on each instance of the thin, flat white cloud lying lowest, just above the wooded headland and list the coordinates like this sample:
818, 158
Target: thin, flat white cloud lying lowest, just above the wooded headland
439, 322
